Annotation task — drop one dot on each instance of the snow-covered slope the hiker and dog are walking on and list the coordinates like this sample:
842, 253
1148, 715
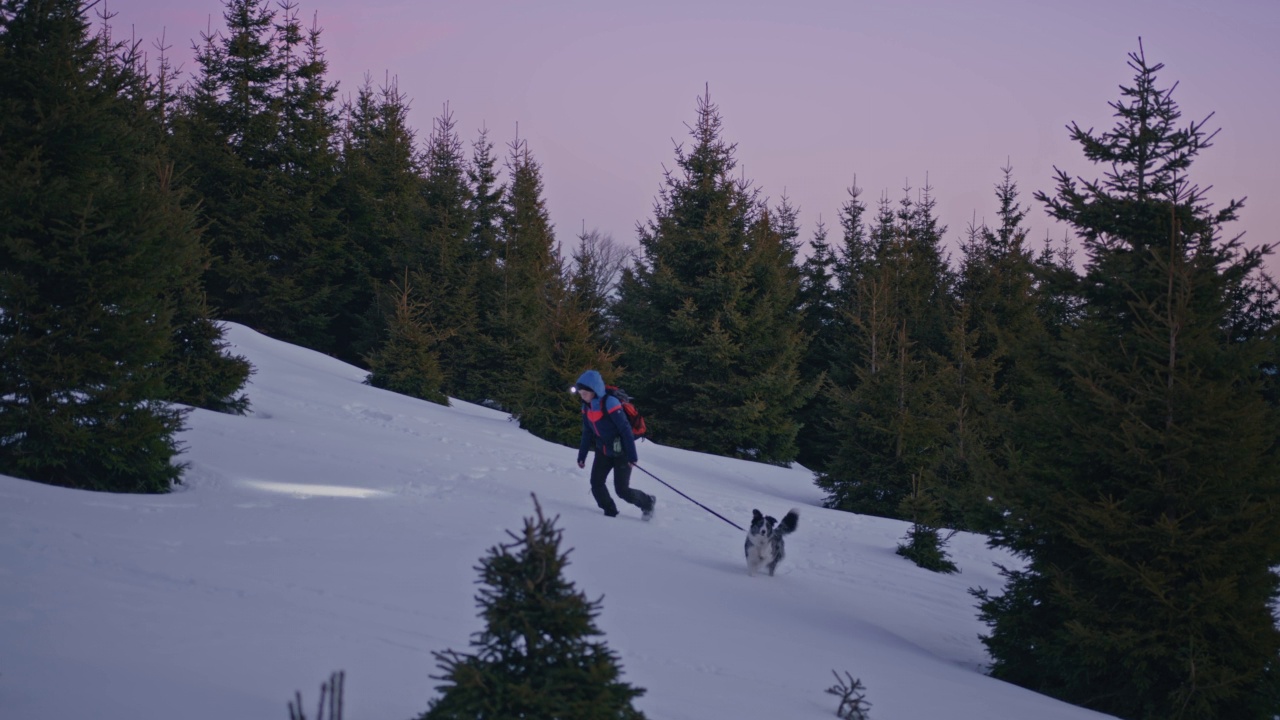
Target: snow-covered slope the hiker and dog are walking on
337, 527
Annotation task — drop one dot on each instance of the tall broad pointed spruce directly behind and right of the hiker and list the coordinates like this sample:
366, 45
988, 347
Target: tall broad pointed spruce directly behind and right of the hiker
707, 313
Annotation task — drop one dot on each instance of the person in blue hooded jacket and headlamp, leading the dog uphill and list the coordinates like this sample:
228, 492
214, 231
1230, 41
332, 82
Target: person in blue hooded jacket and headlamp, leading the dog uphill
606, 427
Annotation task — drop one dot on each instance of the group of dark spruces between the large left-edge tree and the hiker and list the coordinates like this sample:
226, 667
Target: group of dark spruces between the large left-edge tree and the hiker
332, 226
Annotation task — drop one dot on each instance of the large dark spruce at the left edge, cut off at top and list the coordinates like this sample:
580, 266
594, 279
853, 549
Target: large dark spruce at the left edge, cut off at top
97, 250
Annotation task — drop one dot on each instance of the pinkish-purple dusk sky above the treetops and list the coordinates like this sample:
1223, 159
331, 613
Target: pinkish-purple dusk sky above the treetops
812, 92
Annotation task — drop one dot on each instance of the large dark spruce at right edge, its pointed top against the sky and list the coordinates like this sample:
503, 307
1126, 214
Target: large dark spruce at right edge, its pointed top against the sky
1146, 517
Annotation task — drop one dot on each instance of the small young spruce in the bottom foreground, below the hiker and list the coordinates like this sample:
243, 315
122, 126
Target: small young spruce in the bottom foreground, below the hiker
537, 657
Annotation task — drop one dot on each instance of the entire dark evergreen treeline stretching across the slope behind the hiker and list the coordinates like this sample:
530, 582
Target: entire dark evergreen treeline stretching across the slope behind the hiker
1116, 426
